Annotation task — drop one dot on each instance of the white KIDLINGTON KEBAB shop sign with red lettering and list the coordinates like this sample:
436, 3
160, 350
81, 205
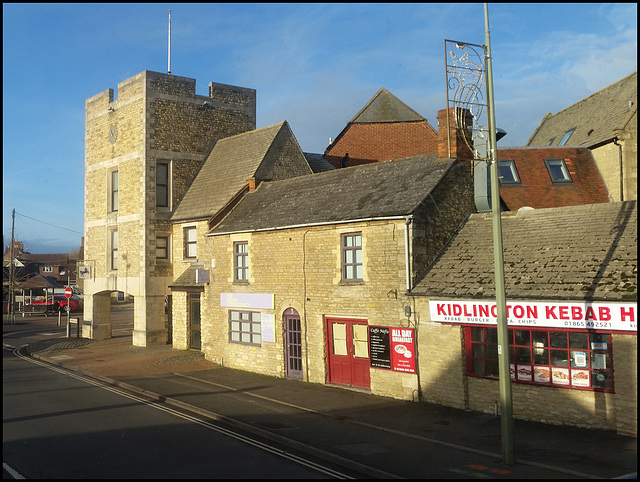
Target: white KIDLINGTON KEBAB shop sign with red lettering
596, 316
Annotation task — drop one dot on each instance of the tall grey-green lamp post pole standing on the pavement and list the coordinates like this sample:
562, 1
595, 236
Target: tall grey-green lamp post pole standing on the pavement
506, 407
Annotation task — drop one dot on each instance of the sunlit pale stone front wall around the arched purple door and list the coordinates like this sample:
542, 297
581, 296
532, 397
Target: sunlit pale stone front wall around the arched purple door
302, 269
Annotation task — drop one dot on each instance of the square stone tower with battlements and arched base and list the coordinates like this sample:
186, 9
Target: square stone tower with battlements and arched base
141, 152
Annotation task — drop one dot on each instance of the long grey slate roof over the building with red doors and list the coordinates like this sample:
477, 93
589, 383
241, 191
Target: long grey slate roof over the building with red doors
382, 189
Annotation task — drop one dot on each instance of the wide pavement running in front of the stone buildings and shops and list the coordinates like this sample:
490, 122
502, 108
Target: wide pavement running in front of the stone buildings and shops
376, 436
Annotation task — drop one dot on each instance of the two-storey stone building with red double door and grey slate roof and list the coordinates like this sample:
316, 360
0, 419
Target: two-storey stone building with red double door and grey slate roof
300, 270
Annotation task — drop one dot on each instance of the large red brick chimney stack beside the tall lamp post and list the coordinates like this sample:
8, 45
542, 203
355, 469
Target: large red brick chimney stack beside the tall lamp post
451, 144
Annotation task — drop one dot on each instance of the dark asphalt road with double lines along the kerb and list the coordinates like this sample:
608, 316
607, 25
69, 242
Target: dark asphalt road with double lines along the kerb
62, 425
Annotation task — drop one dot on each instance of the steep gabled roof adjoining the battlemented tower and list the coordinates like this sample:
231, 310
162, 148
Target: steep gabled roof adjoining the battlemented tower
234, 160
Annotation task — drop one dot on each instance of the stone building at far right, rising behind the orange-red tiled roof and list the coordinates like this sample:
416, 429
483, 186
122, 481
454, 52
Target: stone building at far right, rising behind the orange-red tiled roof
607, 123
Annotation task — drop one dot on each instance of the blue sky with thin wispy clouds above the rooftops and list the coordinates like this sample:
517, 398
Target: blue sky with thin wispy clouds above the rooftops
313, 65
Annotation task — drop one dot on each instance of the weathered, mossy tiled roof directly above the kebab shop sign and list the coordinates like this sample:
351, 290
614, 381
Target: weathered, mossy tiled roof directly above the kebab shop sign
586, 252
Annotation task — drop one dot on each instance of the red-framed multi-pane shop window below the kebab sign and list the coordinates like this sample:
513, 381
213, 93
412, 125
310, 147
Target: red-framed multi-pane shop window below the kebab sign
576, 360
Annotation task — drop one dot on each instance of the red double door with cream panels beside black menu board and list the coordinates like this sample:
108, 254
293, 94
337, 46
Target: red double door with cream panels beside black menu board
348, 352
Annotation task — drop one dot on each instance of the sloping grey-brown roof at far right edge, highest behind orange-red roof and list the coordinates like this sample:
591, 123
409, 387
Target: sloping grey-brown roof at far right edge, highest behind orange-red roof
594, 117
